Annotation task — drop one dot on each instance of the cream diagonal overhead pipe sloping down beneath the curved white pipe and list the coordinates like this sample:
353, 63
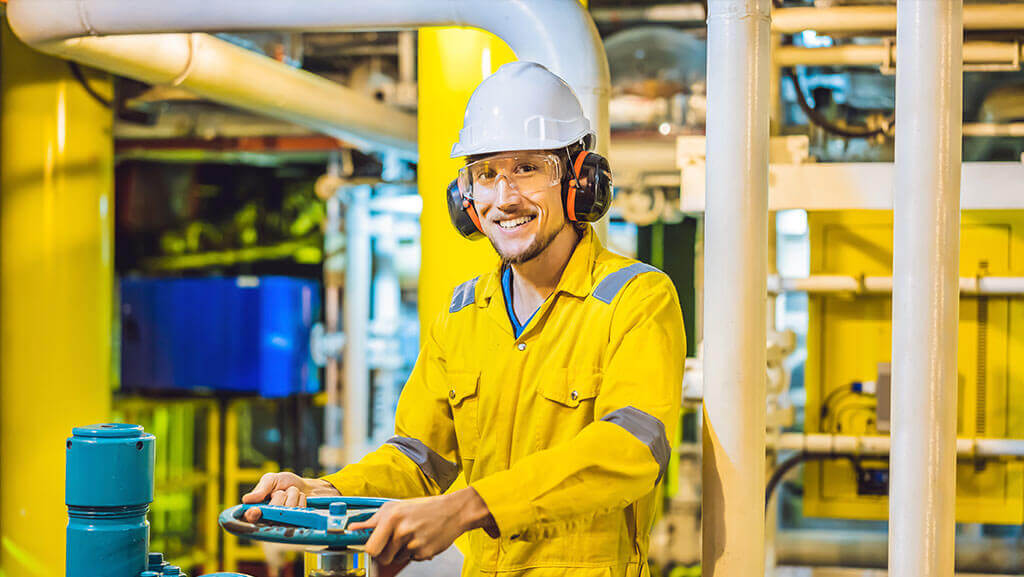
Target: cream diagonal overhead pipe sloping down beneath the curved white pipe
228, 74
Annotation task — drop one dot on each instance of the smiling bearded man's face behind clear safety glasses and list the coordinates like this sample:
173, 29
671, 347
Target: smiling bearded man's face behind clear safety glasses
520, 215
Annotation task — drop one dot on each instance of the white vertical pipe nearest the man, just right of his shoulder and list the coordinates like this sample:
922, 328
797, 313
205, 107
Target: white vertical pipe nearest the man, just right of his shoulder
736, 298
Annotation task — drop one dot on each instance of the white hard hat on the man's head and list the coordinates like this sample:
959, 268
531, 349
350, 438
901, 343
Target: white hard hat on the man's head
523, 107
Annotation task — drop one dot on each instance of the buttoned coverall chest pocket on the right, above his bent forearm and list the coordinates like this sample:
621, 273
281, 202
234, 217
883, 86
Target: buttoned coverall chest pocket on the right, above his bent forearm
566, 405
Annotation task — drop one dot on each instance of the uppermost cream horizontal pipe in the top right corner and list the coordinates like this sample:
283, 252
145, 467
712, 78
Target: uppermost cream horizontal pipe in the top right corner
883, 19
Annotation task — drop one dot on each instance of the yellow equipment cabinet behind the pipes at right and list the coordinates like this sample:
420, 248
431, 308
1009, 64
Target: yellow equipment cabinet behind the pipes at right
849, 335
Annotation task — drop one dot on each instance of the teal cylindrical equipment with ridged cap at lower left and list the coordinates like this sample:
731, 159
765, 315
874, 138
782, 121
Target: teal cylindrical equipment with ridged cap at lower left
109, 488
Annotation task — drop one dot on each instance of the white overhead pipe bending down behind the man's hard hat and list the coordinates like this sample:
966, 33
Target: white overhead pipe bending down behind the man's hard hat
559, 34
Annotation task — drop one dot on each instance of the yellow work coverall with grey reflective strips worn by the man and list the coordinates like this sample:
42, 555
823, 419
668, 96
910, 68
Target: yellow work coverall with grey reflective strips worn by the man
564, 432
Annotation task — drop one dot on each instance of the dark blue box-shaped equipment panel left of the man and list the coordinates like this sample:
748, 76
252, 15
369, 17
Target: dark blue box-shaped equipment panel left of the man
246, 335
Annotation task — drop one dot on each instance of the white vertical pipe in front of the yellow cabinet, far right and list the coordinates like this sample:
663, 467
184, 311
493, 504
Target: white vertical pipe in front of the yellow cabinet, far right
926, 260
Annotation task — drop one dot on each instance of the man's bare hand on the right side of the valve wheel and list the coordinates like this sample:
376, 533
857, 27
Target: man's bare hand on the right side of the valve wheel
419, 529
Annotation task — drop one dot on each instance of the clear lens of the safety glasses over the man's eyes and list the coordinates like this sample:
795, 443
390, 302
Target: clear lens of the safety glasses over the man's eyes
528, 173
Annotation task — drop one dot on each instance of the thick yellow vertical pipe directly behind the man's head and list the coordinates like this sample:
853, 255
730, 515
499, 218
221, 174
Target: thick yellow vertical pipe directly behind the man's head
452, 64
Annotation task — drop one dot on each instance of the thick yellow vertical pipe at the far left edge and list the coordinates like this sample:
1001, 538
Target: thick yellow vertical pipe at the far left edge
57, 167
